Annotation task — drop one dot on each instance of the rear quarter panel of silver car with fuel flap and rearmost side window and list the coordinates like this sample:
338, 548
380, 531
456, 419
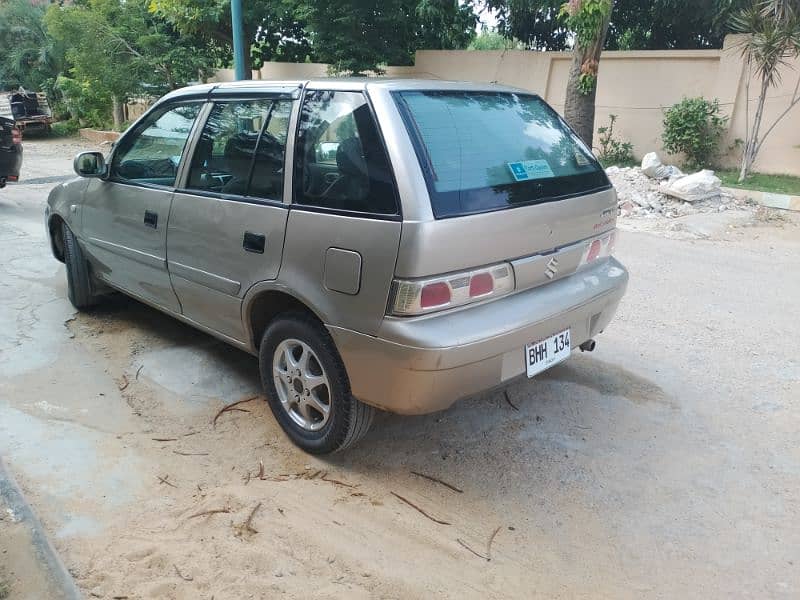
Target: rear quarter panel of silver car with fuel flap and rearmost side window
344, 227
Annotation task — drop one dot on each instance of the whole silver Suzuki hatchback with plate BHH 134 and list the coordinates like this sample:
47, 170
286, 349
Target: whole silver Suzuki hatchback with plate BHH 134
376, 243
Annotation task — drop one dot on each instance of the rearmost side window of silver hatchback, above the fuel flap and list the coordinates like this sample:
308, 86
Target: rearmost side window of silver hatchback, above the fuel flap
341, 163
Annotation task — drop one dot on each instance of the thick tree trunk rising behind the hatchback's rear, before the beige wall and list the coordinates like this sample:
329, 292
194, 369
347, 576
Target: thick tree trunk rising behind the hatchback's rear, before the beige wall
579, 107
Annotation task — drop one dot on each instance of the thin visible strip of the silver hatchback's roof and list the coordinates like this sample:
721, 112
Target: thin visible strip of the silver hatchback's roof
333, 83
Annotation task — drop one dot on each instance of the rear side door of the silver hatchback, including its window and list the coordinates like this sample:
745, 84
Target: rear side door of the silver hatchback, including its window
227, 223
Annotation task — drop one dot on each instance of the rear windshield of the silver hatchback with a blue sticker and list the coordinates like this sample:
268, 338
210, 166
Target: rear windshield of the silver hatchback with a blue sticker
485, 151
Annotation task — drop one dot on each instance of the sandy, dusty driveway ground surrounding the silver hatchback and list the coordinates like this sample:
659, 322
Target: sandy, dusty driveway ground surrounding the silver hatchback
665, 464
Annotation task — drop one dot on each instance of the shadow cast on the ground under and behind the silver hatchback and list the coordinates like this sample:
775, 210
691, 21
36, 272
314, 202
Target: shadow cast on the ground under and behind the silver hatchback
565, 414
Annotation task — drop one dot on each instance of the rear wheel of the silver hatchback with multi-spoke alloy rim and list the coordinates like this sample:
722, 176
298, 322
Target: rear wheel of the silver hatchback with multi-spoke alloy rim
307, 386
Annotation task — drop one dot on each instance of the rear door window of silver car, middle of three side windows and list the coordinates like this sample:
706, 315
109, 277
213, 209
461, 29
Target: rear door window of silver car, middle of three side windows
241, 149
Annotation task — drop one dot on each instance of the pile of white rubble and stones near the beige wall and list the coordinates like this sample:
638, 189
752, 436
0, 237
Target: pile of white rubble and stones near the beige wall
655, 189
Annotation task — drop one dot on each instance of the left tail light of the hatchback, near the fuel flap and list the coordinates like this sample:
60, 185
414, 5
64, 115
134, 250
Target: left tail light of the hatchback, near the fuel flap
421, 296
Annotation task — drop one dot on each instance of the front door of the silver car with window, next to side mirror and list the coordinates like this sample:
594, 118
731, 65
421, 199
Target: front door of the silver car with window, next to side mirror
124, 216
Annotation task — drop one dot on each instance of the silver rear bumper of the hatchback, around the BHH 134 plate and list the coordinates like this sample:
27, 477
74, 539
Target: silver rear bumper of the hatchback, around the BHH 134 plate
422, 365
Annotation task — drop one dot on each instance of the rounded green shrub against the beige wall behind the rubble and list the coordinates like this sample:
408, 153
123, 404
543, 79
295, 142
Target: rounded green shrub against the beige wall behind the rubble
694, 127
